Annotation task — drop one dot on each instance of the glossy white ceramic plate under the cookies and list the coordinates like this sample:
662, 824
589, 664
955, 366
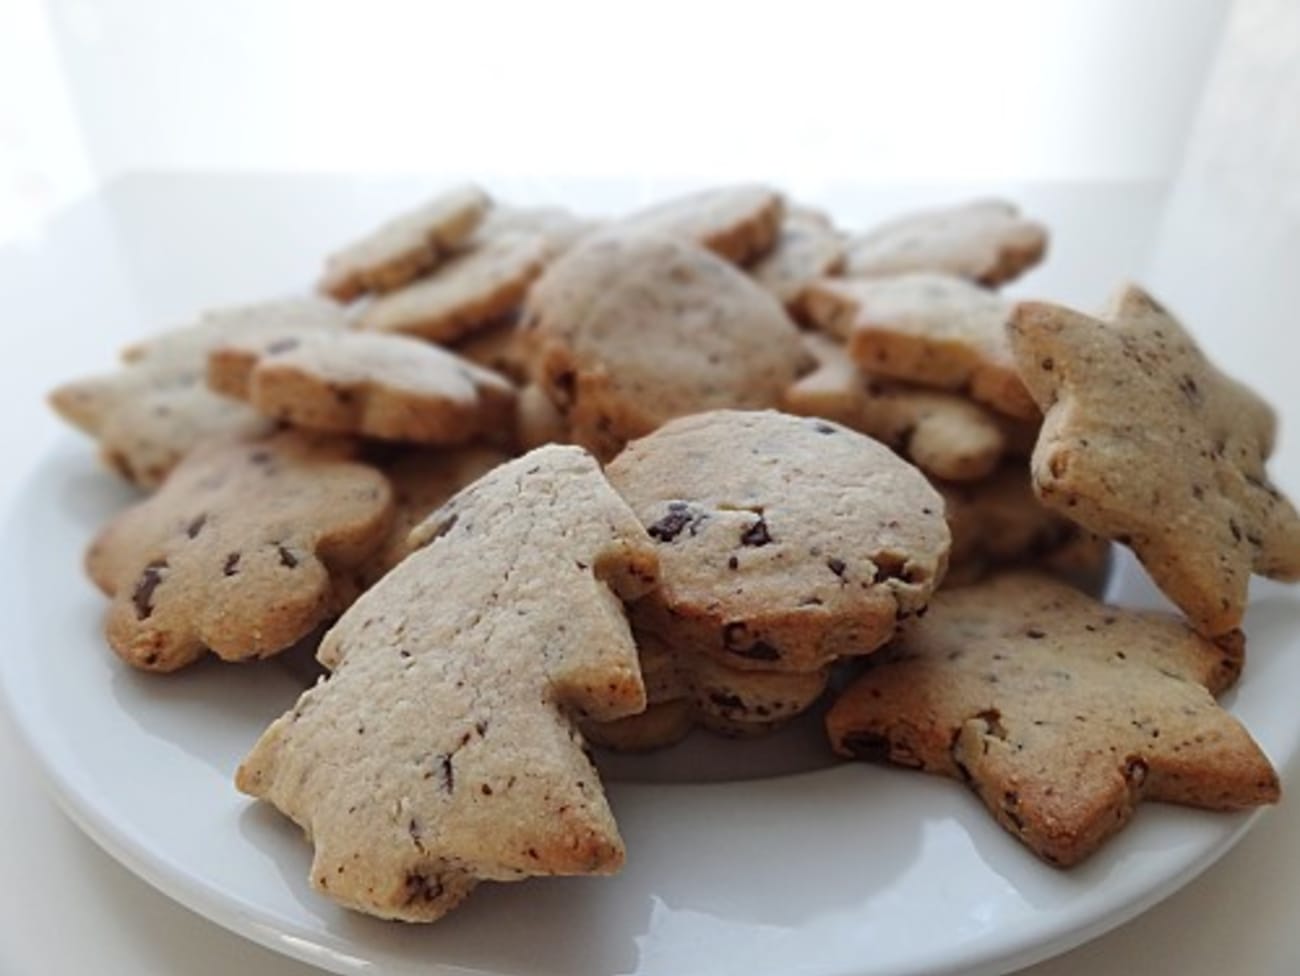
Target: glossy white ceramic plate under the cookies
749, 858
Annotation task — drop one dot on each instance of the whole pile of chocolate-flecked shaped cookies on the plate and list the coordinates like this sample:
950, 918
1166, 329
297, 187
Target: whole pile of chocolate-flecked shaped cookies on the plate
552, 482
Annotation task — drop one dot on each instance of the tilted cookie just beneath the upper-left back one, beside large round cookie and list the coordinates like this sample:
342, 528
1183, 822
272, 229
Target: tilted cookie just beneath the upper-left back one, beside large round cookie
469, 293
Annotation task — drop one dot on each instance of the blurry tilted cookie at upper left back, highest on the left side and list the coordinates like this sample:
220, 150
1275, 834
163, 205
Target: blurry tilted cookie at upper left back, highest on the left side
408, 246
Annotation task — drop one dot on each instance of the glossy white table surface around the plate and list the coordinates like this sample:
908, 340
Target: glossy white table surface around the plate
150, 250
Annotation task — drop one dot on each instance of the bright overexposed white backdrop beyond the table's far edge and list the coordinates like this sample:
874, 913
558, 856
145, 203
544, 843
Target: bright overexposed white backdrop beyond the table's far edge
805, 93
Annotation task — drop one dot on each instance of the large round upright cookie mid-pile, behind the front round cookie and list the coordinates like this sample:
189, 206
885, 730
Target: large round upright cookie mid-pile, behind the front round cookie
632, 331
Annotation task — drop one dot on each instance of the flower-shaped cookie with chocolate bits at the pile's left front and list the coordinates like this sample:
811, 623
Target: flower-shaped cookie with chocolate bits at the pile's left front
242, 552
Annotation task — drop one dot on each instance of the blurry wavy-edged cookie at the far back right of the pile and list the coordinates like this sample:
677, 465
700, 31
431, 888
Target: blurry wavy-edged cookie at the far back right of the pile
985, 241
